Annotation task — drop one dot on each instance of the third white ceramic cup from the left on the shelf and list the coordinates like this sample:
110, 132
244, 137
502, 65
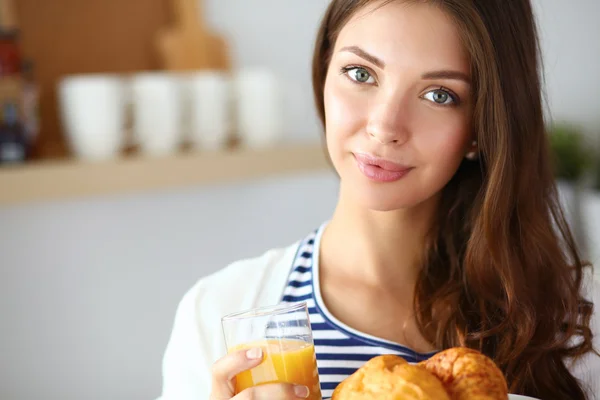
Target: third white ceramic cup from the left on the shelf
209, 100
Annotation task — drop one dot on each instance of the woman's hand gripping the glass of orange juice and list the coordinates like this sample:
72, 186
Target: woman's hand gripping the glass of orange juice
225, 370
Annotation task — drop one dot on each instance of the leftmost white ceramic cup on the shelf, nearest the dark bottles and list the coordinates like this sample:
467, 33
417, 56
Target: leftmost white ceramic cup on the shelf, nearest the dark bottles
92, 109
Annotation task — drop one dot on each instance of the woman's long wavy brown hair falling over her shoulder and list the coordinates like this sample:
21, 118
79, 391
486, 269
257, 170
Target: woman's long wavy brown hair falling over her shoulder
502, 272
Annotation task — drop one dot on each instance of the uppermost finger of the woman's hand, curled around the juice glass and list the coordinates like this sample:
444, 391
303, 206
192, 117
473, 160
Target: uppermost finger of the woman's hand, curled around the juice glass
229, 366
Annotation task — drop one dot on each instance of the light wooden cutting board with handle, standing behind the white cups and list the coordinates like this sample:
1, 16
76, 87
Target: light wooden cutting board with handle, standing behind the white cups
189, 44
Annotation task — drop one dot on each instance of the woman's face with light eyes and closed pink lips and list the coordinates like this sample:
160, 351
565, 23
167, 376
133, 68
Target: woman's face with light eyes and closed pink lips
398, 105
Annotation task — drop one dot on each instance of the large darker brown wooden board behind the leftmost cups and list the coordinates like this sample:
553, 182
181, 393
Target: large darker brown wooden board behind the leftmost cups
65, 37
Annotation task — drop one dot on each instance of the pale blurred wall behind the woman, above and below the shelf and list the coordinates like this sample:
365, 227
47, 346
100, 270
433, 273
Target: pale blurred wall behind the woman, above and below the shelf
88, 289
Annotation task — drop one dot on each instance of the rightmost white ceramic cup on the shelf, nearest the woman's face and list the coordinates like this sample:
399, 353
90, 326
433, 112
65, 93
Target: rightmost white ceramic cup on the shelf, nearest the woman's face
258, 111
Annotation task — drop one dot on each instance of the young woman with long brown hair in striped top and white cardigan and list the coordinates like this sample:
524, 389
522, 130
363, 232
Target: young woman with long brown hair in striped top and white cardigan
447, 232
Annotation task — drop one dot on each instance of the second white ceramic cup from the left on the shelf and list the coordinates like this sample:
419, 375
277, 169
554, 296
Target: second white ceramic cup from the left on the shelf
157, 111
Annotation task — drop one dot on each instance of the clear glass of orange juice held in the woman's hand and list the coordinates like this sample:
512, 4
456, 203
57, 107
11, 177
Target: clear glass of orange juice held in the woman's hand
283, 333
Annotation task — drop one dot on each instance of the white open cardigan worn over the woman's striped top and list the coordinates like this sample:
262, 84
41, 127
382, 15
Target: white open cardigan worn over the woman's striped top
197, 338
